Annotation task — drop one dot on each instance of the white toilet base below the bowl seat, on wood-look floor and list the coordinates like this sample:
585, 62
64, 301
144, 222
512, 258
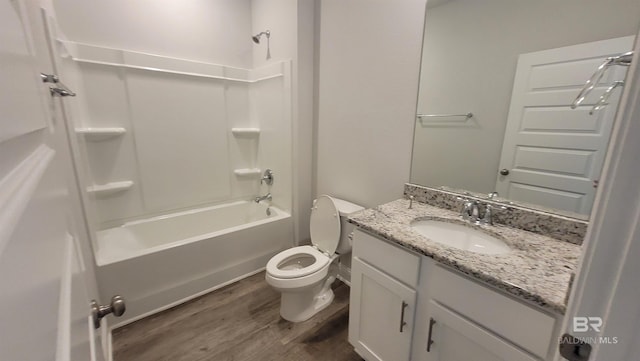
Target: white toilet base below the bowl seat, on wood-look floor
301, 306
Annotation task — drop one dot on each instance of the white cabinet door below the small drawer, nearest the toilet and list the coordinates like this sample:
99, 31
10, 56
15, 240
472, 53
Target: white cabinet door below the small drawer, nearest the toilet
381, 314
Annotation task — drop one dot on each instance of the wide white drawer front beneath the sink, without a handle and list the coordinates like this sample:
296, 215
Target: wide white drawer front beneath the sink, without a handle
519, 323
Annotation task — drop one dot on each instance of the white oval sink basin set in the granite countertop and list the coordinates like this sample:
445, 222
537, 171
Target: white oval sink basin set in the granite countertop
460, 236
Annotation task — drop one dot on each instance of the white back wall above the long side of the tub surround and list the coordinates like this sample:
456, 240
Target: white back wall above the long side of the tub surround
200, 30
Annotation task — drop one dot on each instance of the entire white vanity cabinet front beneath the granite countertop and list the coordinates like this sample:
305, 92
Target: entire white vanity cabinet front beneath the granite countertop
449, 317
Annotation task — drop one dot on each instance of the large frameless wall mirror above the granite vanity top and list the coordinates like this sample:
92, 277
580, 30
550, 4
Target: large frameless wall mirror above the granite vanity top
516, 66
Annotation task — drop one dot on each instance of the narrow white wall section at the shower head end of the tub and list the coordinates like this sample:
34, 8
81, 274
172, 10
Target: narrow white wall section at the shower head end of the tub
291, 25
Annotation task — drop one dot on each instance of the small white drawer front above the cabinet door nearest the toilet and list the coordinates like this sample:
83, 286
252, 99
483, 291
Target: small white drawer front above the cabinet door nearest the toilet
393, 260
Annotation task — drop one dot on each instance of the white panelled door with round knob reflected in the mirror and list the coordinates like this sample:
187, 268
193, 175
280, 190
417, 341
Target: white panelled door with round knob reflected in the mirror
553, 154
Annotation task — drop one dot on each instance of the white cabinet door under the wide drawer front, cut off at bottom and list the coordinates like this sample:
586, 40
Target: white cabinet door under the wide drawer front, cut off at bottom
454, 338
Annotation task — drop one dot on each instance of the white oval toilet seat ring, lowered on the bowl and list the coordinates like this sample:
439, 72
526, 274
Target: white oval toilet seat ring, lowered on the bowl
320, 261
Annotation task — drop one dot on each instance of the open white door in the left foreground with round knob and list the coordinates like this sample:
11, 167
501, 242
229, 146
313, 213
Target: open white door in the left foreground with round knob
44, 304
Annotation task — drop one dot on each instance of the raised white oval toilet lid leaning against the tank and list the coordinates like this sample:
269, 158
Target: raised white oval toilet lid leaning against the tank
325, 225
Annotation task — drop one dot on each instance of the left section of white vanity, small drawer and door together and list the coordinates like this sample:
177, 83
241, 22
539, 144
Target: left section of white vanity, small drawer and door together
383, 300
